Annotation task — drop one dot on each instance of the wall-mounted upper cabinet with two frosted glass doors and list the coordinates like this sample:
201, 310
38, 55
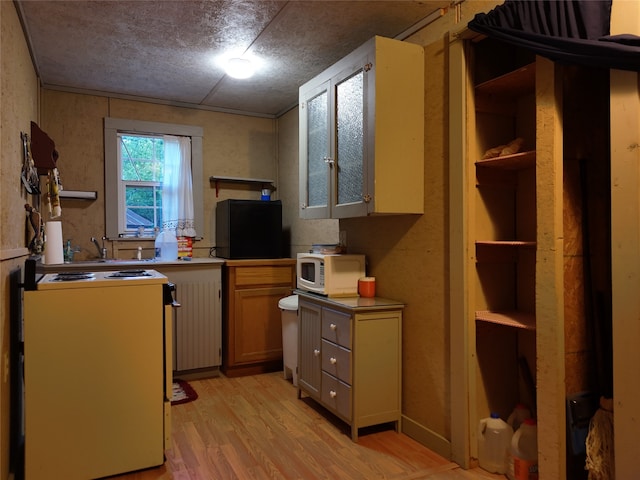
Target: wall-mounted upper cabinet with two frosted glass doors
362, 134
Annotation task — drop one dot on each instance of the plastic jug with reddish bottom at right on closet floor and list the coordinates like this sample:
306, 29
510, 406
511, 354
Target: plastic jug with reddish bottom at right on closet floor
523, 455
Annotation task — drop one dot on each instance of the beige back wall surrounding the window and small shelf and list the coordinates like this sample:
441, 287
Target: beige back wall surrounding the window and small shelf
233, 145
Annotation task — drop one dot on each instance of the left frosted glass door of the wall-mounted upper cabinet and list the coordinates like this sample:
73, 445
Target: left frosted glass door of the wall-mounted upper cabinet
315, 171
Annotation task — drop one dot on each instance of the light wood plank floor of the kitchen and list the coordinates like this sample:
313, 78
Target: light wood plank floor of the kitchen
255, 427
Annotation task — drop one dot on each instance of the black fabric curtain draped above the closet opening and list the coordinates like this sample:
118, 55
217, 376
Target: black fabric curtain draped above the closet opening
566, 31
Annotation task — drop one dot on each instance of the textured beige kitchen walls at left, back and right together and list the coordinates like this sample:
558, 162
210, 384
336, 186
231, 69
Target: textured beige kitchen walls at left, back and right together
408, 254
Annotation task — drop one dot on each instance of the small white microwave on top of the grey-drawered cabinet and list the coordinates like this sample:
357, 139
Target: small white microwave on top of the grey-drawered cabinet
334, 275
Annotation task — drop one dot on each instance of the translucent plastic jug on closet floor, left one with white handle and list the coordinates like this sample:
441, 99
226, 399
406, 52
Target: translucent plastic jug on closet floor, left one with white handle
494, 438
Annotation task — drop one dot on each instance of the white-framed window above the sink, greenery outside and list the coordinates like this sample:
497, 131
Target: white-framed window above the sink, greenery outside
134, 163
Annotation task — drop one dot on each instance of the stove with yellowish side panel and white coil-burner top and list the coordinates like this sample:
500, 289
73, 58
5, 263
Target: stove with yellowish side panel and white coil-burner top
97, 358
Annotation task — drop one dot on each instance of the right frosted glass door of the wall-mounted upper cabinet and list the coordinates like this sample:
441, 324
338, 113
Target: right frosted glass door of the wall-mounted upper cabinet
350, 128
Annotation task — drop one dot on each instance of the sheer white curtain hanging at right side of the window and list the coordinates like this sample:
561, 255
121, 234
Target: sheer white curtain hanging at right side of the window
177, 192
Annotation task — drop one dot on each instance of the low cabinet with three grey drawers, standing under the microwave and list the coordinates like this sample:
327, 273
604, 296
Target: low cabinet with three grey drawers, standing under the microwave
350, 358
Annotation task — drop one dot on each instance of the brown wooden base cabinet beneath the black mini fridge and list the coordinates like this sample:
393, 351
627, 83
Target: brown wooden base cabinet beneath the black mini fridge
252, 321
